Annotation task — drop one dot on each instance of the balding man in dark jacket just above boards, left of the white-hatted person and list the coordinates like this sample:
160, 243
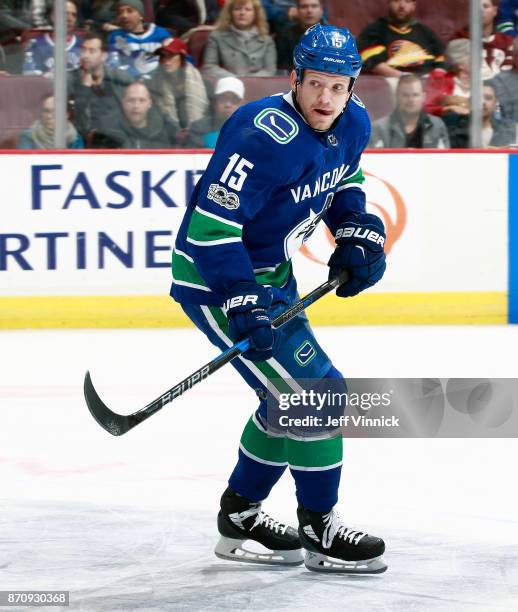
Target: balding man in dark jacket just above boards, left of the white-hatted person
140, 126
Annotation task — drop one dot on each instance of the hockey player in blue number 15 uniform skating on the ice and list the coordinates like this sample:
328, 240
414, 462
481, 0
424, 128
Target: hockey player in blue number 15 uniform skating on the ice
280, 166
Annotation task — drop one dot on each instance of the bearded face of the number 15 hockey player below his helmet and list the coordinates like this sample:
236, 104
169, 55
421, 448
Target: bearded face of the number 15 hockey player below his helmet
321, 97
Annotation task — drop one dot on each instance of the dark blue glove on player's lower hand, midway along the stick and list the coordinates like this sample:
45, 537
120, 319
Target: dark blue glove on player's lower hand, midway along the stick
247, 312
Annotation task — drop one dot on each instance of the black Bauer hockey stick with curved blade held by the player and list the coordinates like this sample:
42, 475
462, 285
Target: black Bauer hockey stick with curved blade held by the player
119, 424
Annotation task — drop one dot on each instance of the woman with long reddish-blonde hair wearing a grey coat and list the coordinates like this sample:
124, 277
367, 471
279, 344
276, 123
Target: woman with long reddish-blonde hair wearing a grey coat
240, 44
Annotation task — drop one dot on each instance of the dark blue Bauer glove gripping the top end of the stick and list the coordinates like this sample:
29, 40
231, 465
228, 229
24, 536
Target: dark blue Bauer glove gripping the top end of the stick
359, 250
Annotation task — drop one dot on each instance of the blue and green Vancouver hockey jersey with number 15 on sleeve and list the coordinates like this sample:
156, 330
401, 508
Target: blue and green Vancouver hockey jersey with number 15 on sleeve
271, 179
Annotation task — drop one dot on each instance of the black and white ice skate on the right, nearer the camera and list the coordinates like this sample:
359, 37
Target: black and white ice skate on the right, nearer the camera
333, 547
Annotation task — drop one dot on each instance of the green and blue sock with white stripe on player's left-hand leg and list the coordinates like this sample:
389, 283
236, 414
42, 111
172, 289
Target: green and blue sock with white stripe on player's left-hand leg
262, 461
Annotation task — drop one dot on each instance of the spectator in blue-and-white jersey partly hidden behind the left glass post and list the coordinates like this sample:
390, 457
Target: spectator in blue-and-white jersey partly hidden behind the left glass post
39, 56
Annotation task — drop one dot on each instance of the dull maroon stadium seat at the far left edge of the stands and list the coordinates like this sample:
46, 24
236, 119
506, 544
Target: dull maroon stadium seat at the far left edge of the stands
19, 105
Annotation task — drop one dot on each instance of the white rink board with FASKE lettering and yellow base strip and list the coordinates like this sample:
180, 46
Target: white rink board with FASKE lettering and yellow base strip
86, 238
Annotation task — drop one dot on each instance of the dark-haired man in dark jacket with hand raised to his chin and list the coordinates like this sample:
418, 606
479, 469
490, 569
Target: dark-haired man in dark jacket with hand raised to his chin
96, 88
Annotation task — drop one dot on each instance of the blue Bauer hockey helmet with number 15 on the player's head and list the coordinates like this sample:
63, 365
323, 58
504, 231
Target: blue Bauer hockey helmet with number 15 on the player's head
327, 48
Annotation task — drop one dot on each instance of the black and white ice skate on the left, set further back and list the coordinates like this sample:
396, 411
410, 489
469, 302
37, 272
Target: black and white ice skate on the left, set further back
240, 520
